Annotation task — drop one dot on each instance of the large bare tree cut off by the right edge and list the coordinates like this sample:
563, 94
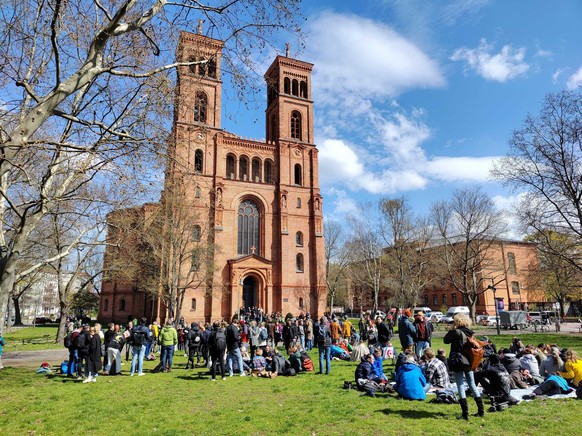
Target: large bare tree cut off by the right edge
545, 163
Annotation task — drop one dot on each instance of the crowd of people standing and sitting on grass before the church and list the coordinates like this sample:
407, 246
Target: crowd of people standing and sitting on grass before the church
248, 345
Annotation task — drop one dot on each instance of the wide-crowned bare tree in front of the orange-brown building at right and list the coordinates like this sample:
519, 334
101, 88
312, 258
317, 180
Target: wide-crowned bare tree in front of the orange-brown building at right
467, 228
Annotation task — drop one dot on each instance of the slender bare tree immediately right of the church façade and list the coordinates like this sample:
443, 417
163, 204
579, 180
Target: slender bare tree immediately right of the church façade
336, 259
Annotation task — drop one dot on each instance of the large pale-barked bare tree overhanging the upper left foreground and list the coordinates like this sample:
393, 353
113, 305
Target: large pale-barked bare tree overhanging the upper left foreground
87, 95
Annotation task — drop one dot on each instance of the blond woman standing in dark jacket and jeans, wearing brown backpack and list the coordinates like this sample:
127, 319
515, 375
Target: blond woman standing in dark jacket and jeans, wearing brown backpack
457, 337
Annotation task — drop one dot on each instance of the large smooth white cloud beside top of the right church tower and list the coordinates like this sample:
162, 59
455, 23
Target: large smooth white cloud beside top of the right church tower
366, 59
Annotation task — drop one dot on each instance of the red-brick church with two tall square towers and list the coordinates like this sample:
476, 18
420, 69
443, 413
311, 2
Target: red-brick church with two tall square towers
254, 205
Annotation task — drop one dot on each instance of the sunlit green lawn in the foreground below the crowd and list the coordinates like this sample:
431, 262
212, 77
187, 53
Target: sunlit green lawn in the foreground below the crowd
186, 402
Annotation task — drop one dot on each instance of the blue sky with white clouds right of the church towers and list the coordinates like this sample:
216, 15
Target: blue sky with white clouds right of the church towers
417, 98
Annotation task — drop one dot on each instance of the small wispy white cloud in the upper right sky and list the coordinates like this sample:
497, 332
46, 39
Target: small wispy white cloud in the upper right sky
501, 67
